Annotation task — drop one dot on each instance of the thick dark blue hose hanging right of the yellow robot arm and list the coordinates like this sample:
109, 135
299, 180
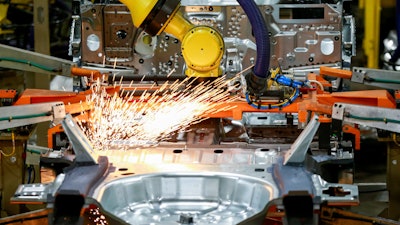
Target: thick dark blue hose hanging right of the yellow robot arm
261, 35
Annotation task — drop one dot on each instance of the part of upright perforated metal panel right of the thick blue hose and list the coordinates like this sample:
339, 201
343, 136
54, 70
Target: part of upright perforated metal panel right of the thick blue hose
301, 37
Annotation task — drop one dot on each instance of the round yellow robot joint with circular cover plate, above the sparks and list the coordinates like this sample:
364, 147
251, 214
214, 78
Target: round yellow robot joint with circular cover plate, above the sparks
202, 49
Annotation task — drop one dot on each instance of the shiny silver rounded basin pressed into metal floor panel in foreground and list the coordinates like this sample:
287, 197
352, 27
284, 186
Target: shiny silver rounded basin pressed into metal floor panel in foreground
206, 197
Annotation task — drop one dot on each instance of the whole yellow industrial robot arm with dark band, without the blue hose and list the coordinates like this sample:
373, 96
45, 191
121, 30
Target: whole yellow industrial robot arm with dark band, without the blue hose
202, 46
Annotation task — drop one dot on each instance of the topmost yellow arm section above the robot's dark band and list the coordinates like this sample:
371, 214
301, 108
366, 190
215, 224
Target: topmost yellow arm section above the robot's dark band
139, 9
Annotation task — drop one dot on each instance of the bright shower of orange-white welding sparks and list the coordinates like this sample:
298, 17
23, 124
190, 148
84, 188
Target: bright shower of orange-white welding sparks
123, 120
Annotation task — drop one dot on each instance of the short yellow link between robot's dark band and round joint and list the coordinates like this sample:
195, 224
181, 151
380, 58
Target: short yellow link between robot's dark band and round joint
178, 26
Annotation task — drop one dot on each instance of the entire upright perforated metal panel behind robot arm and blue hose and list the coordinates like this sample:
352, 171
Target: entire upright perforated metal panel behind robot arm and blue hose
302, 37
